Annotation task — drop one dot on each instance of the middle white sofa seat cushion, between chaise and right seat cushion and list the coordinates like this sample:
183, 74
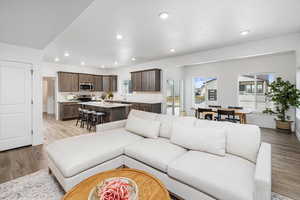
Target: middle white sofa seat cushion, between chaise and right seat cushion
157, 153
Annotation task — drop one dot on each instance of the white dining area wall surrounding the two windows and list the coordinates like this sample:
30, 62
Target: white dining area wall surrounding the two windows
227, 73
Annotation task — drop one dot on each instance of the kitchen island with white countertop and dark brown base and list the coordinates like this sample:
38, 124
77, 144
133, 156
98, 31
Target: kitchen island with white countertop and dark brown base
113, 111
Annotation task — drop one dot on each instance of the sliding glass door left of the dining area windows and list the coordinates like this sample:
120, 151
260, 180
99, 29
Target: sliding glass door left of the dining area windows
174, 97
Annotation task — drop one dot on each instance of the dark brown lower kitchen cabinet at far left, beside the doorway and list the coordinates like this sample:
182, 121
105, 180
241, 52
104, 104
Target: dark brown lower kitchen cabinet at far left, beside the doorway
68, 110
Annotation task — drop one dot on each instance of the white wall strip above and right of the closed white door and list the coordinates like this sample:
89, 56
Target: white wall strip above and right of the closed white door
31, 56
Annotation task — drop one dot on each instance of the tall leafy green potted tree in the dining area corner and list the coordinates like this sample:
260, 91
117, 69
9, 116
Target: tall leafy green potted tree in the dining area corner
284, 95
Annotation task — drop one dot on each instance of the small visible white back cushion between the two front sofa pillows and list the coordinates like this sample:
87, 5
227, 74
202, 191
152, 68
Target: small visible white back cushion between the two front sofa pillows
166, 123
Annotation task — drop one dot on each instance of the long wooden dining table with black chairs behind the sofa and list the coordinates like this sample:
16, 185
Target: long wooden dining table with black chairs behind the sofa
241, 113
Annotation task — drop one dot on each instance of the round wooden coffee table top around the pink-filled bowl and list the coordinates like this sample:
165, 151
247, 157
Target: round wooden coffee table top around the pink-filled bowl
150, 188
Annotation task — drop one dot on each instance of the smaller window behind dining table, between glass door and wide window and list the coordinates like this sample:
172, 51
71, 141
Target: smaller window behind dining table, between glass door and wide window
205, 91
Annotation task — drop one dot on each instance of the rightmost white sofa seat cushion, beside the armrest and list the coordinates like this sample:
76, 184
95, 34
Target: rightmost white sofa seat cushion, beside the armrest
227, 178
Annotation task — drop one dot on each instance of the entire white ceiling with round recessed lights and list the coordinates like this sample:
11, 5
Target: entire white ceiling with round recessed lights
193, 25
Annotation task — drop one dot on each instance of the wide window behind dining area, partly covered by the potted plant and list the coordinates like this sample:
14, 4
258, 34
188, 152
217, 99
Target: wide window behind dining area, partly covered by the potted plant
252, 89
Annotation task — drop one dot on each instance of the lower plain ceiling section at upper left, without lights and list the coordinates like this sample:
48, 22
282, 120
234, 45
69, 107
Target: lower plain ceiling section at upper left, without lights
35, 23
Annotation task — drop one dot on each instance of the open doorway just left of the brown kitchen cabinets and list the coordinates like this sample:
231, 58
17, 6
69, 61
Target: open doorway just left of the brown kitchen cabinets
49, 97
